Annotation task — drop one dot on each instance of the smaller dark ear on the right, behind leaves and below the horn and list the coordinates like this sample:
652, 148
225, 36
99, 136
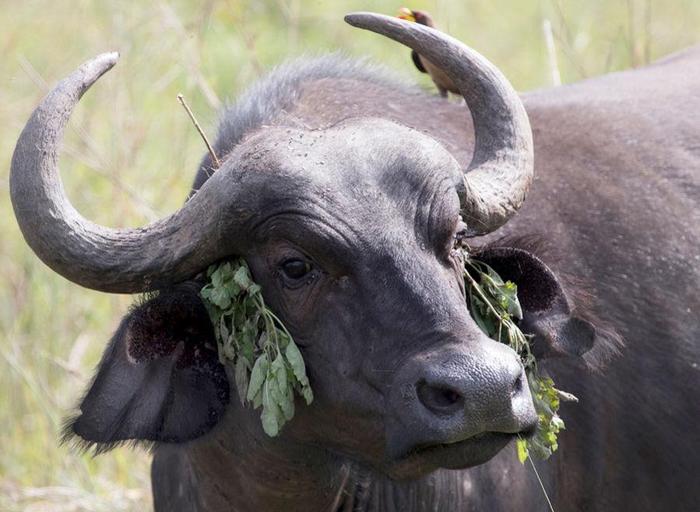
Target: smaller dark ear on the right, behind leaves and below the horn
546, 312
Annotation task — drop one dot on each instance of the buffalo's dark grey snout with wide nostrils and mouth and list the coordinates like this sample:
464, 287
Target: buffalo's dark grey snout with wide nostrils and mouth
459, 394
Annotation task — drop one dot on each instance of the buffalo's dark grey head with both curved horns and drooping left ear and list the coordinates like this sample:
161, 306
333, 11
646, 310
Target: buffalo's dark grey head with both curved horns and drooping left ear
351, 232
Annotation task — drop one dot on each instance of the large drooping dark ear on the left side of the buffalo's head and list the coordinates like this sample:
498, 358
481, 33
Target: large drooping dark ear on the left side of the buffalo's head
159, 380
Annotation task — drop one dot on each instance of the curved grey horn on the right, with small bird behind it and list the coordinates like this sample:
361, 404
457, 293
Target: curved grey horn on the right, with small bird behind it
496, 181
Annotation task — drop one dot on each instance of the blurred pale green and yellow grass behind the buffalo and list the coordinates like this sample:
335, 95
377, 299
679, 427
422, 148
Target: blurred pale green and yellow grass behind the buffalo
131, 152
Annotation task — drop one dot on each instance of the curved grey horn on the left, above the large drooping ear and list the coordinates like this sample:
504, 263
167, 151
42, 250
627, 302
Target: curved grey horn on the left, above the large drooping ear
113, 260
